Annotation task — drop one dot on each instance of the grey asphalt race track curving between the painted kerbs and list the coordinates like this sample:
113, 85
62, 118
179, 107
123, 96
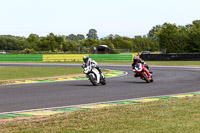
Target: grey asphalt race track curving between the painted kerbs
168, 80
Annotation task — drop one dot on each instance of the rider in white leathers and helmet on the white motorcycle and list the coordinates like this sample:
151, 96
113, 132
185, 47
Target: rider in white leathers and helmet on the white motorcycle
88, 61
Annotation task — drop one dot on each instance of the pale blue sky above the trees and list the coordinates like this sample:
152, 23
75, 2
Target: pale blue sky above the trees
64, 17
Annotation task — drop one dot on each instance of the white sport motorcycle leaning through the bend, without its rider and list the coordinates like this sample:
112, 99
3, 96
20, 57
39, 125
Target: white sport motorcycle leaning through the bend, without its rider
94, 75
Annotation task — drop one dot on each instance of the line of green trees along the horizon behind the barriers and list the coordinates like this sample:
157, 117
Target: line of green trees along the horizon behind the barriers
172, 38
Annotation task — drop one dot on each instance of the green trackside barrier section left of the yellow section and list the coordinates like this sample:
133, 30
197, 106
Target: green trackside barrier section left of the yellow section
20, 58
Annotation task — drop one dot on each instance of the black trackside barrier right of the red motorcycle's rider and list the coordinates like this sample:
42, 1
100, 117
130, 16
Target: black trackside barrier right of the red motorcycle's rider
170, 57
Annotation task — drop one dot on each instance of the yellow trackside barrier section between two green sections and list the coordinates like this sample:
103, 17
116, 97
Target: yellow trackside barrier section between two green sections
63, 57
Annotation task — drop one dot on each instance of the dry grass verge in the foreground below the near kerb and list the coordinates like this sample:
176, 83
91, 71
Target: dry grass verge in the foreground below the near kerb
163, 116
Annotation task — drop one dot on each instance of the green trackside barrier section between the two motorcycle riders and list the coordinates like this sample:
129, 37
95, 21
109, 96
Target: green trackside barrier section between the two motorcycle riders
111, 57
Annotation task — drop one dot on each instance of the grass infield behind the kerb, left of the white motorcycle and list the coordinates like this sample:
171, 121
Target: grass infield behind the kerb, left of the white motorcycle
10, 73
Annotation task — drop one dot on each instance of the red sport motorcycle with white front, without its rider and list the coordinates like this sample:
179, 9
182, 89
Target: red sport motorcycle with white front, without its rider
143, 72
